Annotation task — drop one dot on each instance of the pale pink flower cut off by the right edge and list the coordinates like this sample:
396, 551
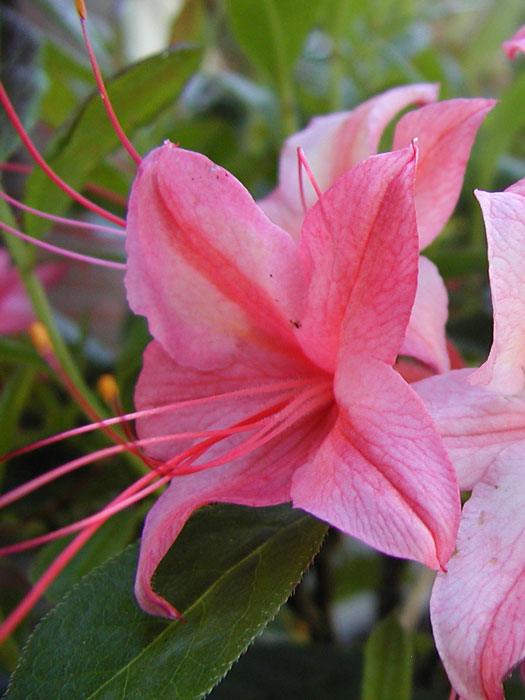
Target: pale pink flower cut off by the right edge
478, 606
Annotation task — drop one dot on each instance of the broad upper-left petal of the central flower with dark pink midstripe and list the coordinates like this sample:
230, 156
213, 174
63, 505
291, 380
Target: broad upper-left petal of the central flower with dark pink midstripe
204, 262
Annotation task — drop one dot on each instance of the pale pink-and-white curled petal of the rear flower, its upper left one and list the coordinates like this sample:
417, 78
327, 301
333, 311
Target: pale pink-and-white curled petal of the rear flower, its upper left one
333, 144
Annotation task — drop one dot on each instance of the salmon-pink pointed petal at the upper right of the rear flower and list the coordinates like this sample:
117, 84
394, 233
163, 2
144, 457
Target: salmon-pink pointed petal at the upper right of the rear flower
445, 133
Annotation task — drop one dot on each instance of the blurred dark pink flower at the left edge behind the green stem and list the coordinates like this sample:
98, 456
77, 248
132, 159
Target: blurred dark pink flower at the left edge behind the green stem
16, 312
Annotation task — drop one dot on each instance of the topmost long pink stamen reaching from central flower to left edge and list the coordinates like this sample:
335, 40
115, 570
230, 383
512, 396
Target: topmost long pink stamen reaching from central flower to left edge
148, 412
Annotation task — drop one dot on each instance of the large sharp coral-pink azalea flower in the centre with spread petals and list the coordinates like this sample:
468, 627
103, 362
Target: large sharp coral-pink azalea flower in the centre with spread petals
282, 348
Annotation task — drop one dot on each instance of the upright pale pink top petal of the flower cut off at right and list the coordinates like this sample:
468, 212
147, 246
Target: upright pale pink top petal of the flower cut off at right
504, 214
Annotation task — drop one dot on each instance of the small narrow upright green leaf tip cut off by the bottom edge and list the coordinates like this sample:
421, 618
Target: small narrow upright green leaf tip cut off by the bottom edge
388, 663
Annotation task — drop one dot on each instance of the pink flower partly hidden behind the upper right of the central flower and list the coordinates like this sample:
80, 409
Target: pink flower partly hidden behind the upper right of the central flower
334, 143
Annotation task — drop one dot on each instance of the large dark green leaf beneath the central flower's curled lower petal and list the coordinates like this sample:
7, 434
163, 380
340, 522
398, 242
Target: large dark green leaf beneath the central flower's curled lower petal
229, 572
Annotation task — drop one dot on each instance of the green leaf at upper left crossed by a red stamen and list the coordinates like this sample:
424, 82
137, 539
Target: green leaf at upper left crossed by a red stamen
137, 95
